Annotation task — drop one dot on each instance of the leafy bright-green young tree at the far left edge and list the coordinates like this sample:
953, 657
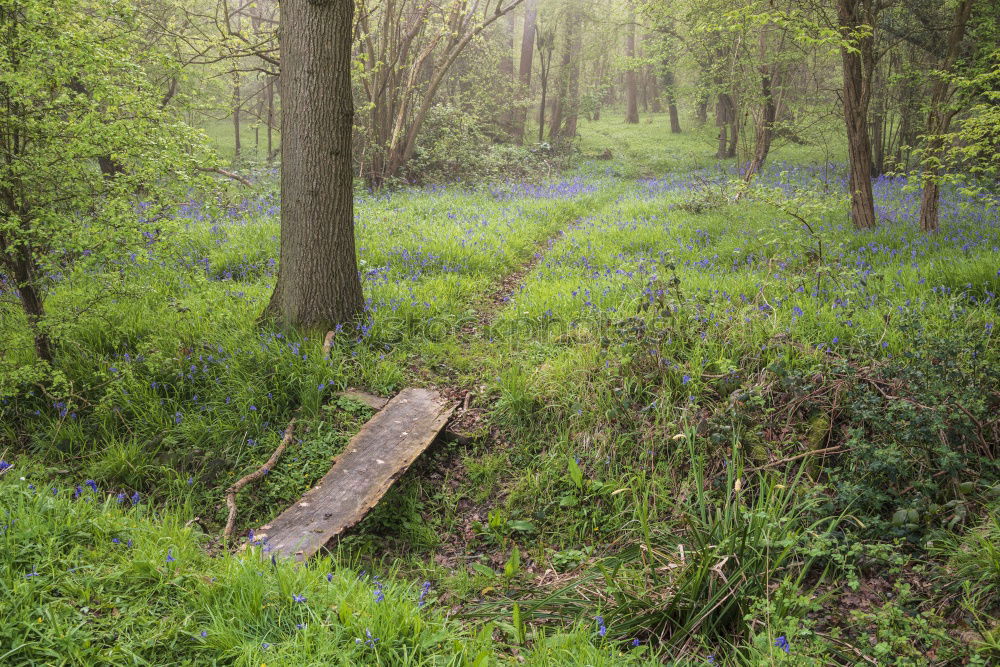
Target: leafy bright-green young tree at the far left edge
82, 133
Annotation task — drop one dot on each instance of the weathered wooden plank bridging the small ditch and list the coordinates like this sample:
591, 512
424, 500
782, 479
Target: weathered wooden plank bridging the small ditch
378, 455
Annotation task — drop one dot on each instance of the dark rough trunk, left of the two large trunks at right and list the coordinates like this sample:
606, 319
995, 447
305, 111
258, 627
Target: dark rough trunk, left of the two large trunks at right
857, 93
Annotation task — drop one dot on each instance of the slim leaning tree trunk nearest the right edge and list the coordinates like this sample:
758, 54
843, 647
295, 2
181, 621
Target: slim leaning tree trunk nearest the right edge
938, 122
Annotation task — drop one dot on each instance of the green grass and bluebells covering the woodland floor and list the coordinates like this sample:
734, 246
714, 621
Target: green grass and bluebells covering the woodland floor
652, 402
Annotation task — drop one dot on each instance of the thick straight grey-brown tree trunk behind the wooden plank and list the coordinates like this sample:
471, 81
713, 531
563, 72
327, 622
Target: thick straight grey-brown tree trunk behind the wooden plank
318, 285
